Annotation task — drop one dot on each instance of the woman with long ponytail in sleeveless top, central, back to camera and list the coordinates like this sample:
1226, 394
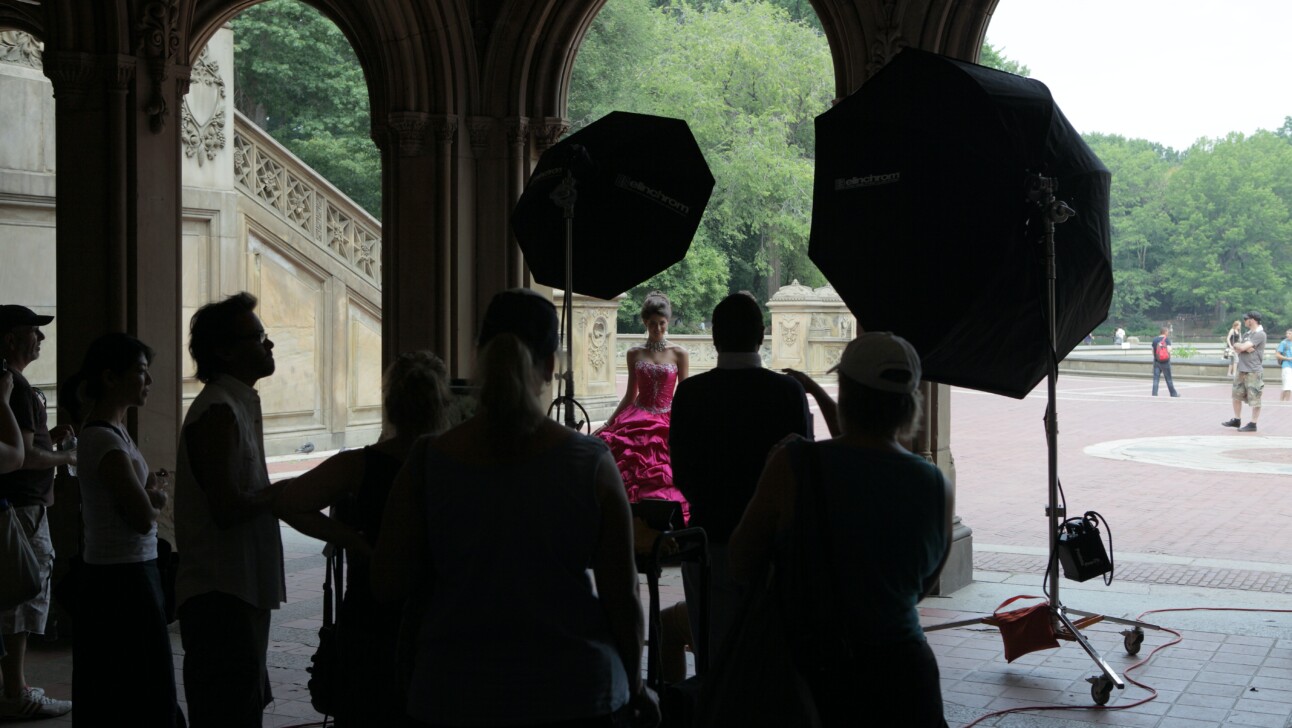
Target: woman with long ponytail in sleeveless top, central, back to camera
498, 523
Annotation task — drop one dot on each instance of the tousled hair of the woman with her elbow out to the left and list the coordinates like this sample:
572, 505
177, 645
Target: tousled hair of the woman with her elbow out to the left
415, 394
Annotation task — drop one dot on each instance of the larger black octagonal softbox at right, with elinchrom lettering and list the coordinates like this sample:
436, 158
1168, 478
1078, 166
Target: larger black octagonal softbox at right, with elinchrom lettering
923, 226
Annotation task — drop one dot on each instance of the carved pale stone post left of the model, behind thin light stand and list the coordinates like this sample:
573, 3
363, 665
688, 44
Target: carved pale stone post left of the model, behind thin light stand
595, 354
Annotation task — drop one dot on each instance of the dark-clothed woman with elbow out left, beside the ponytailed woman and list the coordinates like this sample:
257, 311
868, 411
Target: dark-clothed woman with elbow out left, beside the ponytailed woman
356, 484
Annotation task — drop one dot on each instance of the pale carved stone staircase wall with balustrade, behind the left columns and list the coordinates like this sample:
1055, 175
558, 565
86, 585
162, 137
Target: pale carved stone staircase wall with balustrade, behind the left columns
255, 219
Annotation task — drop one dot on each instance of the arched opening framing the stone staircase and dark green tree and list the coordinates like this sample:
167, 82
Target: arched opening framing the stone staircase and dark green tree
282, 196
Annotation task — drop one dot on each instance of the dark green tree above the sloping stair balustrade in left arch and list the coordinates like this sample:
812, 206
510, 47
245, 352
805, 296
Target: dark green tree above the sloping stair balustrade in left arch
298, 78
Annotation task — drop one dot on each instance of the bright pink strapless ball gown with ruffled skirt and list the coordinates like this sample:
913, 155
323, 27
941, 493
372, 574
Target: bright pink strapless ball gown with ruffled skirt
639, 436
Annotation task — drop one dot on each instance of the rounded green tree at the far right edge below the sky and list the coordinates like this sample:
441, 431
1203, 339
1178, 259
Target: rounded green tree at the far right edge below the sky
1228, 248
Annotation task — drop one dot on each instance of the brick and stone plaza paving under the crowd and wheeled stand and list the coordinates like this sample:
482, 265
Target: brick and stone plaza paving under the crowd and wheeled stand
1191, 532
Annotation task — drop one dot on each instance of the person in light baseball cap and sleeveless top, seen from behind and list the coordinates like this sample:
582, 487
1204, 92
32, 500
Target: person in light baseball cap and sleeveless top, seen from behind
888, 522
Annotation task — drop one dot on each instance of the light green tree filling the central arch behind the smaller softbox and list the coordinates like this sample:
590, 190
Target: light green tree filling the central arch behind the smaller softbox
750, 81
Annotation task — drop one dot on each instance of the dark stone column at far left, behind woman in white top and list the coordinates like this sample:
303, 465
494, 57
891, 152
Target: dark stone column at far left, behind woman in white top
118, 210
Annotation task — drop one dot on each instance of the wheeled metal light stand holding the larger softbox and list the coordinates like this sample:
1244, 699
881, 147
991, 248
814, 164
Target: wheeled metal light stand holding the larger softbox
1041, 192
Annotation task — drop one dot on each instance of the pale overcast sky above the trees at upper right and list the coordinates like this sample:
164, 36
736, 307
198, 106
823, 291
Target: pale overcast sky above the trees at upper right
1165, 70
